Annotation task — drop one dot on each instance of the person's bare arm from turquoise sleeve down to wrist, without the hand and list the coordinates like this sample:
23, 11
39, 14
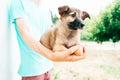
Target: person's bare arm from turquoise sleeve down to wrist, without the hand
30, 41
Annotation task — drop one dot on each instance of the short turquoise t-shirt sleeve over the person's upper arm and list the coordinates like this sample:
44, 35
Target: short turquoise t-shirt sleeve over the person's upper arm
16, 10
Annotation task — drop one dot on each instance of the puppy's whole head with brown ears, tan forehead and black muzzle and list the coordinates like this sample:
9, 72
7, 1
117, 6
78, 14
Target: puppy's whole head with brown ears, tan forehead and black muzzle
72, 17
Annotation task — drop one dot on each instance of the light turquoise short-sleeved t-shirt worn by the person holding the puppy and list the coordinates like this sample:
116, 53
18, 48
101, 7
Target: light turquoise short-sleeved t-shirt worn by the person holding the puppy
39, 20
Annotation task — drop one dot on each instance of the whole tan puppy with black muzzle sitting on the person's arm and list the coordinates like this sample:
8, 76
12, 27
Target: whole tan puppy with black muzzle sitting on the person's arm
66, 32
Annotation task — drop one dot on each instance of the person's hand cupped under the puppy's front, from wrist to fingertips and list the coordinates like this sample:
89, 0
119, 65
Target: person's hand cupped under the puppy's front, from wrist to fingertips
67, 55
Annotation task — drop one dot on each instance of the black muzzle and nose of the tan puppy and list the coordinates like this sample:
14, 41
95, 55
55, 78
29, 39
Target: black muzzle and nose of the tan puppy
76, 24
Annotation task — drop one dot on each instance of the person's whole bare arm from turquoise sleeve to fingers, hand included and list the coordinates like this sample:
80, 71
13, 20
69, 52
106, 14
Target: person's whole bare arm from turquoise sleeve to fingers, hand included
39, 48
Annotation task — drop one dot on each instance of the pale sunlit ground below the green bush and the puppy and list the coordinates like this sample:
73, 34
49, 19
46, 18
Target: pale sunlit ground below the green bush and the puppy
101, 63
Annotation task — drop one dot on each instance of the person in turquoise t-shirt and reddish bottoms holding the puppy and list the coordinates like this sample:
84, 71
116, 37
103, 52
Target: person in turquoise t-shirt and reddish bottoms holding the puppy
31, 19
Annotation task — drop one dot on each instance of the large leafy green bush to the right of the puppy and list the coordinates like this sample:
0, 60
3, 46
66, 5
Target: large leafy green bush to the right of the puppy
105, 26
